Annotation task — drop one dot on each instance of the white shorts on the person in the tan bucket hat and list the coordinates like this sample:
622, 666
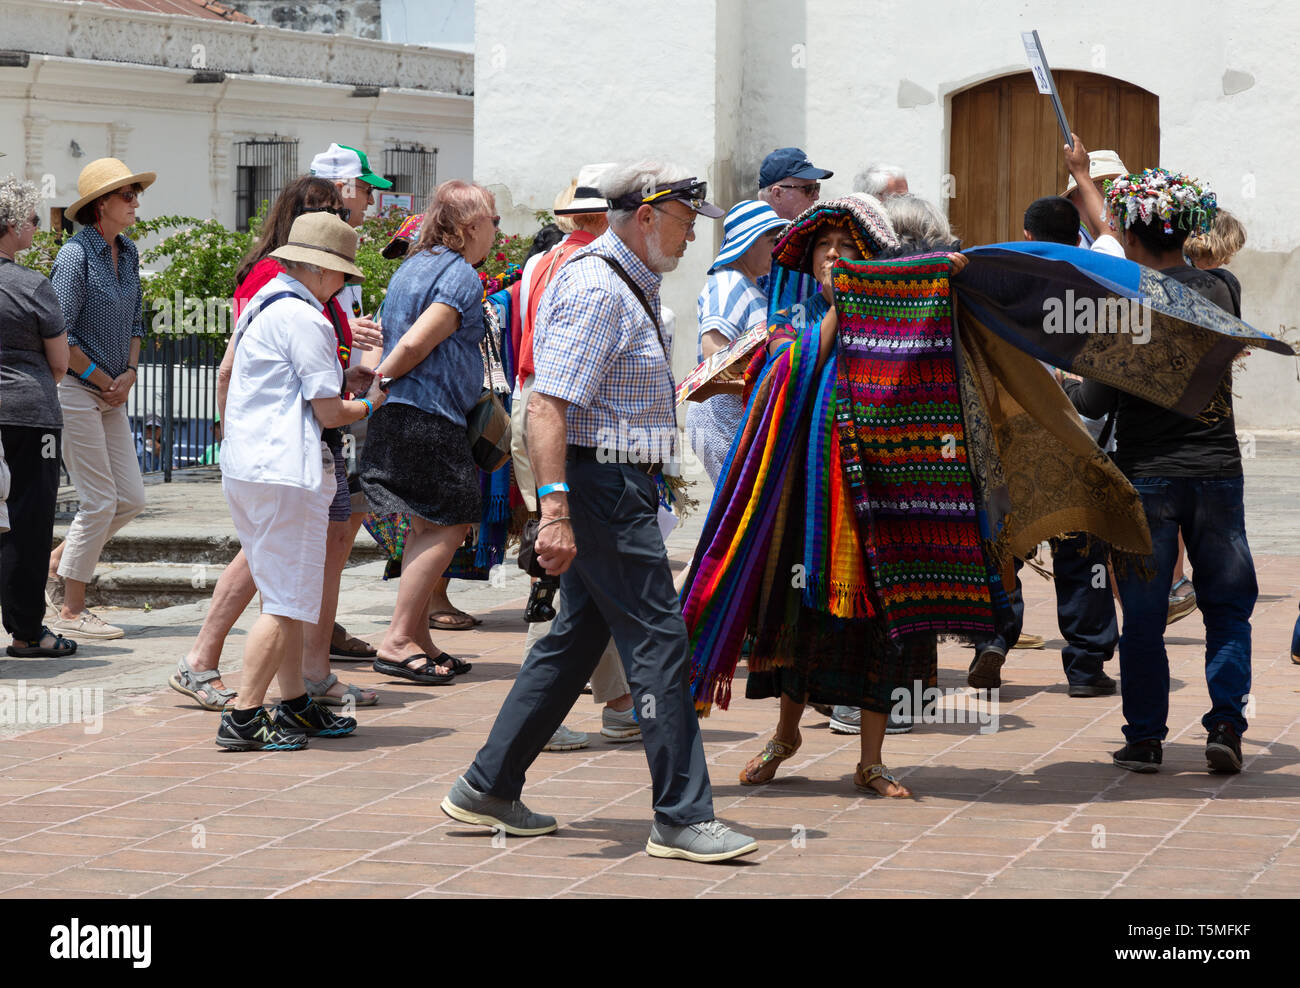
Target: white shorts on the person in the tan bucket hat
283, 532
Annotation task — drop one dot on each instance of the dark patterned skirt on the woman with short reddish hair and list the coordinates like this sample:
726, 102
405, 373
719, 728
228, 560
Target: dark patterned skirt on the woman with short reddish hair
418, 463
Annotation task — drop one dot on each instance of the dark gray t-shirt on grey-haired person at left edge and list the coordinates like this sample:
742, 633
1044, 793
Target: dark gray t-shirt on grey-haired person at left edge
29, 315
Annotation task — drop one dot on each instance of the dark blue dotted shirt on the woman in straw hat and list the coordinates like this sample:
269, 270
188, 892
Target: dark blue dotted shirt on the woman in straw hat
103, 309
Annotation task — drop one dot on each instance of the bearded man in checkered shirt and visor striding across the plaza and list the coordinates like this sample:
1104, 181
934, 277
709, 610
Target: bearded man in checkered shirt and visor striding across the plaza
601, 423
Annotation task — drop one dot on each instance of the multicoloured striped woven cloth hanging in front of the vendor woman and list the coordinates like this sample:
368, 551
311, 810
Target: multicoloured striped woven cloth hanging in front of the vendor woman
902, 435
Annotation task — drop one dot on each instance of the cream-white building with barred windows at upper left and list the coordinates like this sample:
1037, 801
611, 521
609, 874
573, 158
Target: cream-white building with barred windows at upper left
226, 114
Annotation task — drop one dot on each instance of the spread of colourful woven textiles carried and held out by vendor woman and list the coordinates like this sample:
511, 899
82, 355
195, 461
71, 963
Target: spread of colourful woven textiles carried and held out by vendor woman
892, 488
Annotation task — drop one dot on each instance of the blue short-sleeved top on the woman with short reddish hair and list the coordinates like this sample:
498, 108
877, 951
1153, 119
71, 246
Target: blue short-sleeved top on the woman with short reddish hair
449, 382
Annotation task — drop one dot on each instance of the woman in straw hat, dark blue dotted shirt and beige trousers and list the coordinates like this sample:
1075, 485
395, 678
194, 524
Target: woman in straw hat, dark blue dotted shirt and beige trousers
97, 278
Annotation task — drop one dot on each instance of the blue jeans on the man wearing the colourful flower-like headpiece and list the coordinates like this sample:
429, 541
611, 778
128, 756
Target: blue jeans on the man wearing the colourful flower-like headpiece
1212, 517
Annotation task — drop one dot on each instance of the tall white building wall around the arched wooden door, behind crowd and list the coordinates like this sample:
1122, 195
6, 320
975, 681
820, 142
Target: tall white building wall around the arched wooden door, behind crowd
720, 84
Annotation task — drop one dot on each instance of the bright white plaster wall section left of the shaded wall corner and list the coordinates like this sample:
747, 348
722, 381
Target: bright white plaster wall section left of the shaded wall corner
569, 83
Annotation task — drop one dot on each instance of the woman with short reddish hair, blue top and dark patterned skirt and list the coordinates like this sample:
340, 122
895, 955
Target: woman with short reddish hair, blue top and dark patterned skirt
417, 460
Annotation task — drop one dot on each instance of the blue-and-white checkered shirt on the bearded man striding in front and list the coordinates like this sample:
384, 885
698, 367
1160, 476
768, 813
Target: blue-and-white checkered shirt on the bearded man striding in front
597, 349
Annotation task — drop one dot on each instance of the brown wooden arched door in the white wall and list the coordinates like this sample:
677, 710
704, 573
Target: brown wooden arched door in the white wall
1006, 146
